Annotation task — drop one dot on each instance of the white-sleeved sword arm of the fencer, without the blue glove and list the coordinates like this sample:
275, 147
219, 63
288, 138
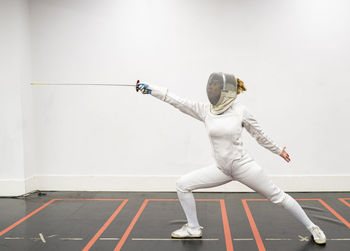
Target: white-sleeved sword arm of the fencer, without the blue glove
196, 110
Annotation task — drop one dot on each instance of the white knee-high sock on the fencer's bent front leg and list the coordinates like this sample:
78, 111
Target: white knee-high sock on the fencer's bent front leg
189, 206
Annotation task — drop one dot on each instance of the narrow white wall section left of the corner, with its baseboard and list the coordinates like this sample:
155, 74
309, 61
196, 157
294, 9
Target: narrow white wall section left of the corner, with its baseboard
15, 74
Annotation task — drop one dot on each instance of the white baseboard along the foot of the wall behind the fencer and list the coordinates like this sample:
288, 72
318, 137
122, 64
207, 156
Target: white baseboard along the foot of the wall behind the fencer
12, 187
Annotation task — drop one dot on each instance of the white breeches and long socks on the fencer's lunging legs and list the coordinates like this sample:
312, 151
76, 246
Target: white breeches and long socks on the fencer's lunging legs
246, 171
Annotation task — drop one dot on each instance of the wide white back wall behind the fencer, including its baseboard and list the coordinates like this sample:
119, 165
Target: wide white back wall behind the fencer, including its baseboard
293, 56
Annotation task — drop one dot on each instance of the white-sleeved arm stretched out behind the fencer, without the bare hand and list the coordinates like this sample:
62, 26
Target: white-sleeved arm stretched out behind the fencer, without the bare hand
252, 126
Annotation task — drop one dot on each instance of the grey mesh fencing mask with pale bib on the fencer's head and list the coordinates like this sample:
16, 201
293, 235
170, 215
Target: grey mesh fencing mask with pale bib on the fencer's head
222, 91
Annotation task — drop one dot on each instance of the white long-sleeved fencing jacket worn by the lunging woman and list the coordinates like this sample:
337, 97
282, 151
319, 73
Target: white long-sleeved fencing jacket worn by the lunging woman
224, 130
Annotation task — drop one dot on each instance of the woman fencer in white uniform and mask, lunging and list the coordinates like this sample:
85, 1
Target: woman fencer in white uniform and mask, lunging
224, 119
